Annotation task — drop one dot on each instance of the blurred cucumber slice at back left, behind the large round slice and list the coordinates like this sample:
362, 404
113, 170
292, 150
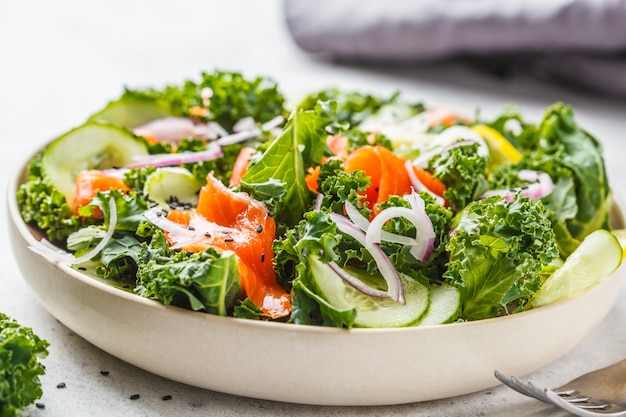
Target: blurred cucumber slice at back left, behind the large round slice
131, 111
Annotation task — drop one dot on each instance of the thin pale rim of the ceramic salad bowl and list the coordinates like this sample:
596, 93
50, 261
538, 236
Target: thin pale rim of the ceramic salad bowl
17, 177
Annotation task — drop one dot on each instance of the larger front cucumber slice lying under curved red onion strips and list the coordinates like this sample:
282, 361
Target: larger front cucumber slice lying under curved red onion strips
370, 311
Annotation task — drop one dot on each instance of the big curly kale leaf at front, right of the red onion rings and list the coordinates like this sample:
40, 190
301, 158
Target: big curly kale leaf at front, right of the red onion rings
497, 253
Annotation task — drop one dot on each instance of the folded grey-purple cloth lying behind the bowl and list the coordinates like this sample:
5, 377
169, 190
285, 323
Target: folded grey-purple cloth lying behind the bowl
582, 41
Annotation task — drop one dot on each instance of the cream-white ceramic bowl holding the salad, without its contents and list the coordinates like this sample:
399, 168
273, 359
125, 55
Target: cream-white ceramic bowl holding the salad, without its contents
306, 364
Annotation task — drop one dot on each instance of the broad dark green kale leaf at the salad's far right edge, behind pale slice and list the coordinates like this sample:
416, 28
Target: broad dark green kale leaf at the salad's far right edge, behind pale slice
574, 160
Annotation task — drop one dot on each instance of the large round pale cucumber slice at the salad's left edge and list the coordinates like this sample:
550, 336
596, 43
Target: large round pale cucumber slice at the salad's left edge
90, 146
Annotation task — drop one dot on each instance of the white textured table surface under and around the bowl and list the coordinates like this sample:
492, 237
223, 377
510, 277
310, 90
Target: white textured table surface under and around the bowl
62, 60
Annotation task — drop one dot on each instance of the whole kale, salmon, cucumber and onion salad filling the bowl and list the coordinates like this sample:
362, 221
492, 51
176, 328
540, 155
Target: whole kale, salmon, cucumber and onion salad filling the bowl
348, 210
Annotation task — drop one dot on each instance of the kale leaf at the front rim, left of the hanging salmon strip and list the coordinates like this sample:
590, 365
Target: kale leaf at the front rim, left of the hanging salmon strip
202, 281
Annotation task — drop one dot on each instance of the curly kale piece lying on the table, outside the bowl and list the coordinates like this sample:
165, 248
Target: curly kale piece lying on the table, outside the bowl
20, 351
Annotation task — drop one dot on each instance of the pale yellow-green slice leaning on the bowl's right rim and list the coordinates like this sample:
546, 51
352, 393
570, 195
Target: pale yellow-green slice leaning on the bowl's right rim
598, 256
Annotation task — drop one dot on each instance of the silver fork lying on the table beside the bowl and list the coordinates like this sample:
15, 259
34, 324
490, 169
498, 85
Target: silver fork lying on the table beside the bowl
598, 393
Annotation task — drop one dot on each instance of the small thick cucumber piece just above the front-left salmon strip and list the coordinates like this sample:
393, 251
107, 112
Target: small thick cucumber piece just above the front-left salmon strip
170, 185
